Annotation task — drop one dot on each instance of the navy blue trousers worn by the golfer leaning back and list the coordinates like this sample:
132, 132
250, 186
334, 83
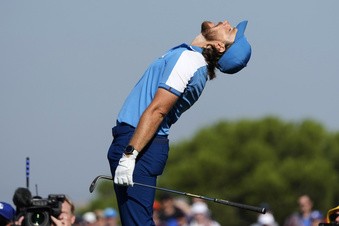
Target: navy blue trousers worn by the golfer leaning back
136, 203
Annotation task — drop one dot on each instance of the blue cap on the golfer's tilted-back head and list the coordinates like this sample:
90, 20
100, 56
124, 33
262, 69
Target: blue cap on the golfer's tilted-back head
237, 56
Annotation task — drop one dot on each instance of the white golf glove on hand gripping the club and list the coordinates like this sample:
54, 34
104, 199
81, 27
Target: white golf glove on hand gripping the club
124, 172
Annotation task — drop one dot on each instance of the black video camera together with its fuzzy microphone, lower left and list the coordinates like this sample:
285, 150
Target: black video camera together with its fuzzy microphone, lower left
36, 210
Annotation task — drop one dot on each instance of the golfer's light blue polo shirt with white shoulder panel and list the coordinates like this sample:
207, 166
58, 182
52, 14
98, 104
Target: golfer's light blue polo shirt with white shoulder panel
182, 71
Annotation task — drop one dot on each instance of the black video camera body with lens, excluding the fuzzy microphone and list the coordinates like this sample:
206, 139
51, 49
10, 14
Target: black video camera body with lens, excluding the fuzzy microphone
40, 210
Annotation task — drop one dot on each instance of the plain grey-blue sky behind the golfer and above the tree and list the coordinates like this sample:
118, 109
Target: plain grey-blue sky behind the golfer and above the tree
67, 66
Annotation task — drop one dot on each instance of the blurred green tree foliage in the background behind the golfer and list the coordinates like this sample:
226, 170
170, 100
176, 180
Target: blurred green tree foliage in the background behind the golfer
254, 162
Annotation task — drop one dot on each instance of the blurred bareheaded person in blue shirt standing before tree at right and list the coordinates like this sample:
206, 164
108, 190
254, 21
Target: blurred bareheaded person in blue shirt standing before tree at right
304, 216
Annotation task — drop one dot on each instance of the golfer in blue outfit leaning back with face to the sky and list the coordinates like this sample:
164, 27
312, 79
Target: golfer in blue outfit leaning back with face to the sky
169, 86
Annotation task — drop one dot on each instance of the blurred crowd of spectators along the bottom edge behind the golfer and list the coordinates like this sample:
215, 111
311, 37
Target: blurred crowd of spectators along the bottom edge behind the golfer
177, 211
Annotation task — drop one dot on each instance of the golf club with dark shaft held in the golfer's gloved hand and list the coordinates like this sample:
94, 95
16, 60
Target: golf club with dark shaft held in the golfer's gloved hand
220, 201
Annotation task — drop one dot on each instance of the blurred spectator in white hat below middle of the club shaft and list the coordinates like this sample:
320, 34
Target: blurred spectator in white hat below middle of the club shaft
201, 215
